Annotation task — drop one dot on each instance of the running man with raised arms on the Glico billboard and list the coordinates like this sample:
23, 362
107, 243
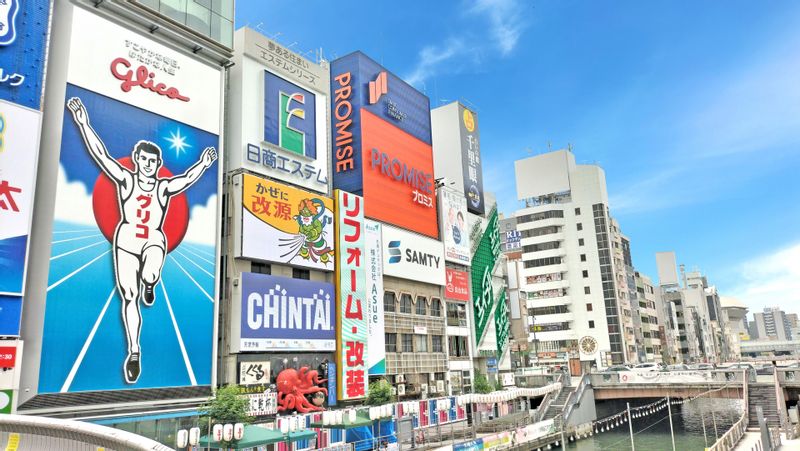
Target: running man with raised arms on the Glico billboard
139, 242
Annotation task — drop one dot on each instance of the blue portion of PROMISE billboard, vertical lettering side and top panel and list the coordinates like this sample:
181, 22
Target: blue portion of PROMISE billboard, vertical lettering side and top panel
358, 82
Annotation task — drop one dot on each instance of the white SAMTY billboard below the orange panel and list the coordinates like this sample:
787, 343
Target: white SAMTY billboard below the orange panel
412, 256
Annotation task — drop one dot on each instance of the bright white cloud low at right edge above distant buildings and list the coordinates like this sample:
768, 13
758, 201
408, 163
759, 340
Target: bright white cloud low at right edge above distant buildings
770, 280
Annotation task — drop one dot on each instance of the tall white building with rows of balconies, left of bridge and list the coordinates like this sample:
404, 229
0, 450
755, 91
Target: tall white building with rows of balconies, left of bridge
568, 274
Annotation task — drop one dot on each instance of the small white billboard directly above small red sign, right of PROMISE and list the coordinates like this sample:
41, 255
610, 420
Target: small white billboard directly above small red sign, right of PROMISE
453, 220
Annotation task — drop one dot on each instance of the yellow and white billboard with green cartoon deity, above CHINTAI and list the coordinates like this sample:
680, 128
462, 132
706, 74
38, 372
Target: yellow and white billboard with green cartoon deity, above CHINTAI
286, 225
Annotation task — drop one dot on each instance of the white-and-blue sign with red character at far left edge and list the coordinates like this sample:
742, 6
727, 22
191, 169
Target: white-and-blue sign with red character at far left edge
19, 142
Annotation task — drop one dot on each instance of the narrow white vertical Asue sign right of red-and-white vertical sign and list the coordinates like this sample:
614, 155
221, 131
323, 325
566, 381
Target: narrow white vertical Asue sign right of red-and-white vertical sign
377, 351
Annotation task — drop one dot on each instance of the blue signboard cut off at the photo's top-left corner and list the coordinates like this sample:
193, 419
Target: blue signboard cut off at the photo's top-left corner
23, 44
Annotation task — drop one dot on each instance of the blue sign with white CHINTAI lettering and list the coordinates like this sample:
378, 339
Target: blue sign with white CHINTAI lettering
281, 313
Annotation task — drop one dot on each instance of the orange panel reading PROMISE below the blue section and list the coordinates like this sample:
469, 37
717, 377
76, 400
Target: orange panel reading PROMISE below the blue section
398, 182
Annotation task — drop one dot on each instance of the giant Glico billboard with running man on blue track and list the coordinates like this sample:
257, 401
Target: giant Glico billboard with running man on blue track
132, 276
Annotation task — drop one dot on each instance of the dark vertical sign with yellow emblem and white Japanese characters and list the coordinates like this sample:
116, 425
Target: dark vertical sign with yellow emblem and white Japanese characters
471, 160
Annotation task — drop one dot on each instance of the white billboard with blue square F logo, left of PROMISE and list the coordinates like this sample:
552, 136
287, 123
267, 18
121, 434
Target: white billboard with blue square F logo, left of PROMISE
284, 132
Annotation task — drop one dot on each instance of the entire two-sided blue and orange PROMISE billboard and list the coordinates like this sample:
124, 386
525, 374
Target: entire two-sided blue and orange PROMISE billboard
382, 144
